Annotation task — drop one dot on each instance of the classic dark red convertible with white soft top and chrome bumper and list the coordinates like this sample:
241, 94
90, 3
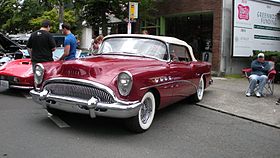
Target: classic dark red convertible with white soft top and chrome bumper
131, 77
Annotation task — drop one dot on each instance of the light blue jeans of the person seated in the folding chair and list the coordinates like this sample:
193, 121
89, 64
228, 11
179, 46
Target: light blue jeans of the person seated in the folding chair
254, 79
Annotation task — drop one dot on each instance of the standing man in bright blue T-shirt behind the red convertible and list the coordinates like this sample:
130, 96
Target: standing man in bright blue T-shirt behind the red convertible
70, 43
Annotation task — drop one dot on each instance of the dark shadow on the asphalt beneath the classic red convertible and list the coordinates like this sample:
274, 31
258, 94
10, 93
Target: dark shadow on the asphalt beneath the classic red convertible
101, 126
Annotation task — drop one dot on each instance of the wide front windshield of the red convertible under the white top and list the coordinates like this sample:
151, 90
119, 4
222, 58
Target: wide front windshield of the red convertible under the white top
135, 46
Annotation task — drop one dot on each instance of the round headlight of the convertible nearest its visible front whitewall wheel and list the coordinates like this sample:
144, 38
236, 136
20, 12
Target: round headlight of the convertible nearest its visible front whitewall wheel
124, 83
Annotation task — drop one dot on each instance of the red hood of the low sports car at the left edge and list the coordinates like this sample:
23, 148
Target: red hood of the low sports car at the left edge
20, 68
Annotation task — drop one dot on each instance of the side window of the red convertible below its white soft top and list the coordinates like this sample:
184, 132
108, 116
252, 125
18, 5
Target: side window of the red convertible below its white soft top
179, 53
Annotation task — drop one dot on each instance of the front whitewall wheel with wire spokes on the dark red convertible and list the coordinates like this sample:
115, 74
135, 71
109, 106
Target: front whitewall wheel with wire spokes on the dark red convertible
144, 119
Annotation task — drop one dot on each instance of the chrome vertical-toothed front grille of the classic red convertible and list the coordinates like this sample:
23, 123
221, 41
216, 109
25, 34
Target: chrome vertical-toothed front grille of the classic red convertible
79, 91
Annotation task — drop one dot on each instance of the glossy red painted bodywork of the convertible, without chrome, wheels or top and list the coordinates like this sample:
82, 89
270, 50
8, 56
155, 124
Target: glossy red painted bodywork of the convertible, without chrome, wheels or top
104, 69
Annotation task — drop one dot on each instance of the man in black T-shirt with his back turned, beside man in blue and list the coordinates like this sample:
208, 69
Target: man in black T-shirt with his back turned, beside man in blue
41, 44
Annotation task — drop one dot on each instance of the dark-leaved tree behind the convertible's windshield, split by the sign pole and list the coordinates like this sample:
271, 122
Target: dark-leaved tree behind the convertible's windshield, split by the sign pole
95, 12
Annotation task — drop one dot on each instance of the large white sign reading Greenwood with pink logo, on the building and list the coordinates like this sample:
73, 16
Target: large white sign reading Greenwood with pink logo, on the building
256, 26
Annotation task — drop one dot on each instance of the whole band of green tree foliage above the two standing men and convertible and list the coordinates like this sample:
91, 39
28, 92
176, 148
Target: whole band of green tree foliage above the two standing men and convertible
26, 15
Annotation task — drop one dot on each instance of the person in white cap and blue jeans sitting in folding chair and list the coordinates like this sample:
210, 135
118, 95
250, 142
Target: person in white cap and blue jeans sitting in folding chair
259, 73
